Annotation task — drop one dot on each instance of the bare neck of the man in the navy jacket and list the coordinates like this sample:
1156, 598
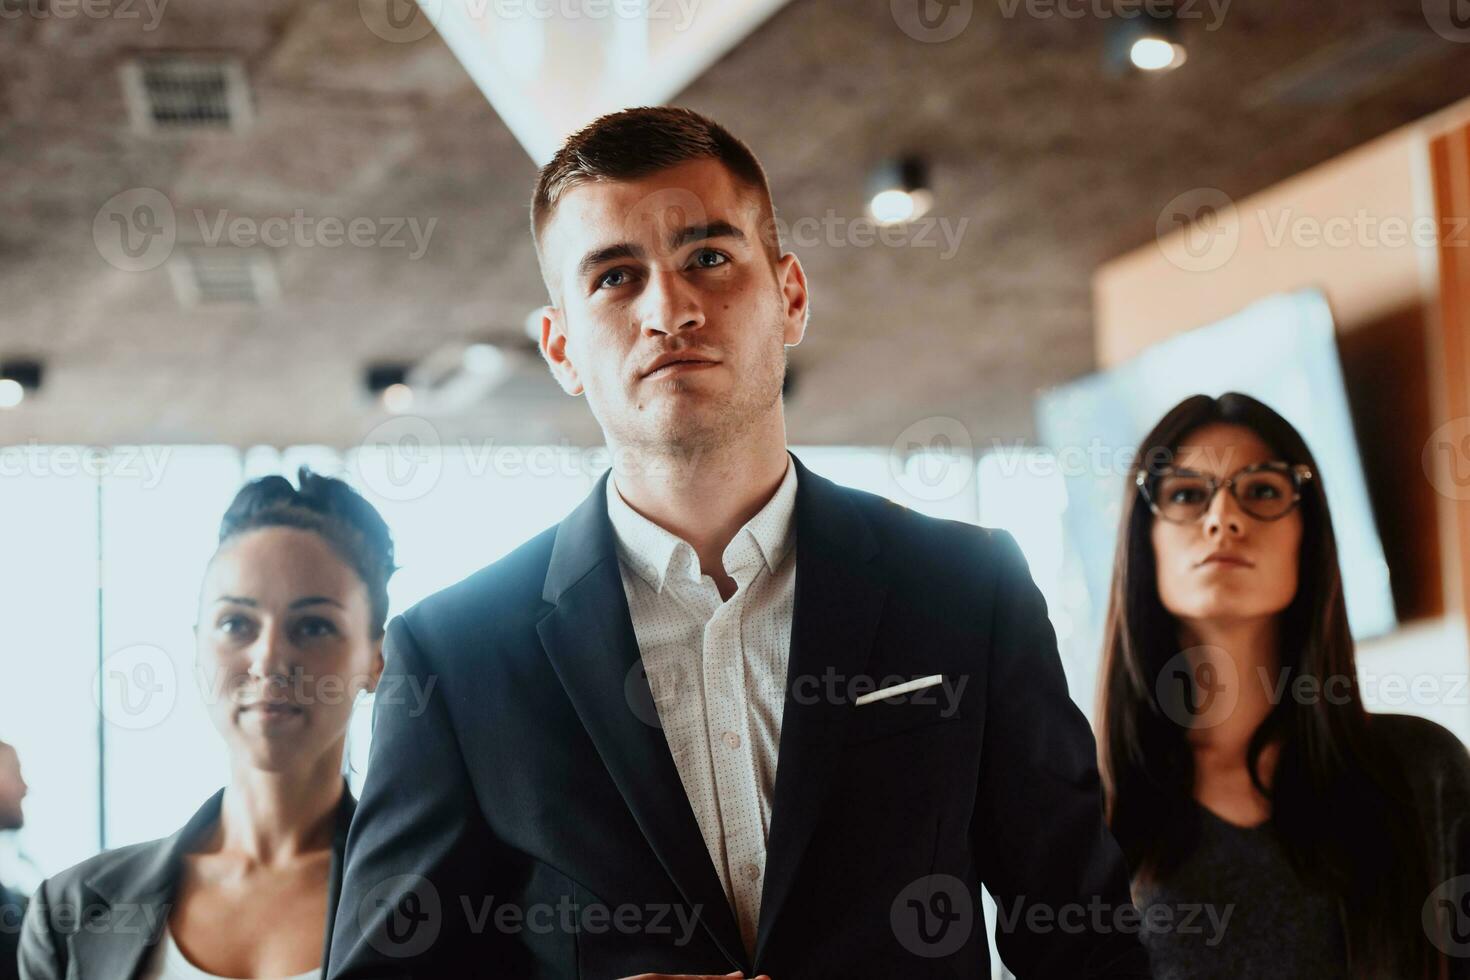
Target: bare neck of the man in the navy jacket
706, 497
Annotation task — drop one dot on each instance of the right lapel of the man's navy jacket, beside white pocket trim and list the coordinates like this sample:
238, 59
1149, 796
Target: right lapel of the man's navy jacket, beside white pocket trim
839, 606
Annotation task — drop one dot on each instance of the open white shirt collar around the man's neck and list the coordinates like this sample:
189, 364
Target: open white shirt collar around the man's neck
650, 550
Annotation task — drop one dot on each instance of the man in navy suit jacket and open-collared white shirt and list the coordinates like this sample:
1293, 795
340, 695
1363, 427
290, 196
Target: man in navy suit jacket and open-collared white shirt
590, 784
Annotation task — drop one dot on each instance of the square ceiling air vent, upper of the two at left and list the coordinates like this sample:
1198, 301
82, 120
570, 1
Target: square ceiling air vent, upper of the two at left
193, 93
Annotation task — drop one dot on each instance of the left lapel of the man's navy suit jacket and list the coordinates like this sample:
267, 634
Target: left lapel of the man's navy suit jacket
592, 644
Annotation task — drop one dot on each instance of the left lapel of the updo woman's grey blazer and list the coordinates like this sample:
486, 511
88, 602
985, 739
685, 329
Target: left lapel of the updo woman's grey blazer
135, 900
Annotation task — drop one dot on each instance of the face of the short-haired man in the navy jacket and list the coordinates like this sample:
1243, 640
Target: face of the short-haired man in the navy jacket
670, 267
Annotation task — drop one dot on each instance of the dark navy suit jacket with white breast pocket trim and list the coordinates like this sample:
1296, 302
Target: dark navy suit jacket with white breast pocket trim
524, 818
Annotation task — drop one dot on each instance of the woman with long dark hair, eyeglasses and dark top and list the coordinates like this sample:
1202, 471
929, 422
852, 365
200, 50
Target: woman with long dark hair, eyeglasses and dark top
1275, 829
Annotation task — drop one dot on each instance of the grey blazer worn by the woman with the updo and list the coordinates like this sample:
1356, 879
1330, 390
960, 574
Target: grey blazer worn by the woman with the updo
101, 919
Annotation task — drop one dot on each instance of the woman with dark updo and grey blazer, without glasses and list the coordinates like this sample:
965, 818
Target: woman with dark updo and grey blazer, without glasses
290, 633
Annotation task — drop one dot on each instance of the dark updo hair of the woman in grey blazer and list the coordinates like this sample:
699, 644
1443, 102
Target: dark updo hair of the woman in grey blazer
331, 509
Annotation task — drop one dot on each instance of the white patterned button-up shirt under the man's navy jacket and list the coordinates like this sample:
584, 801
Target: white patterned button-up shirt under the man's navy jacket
718, 674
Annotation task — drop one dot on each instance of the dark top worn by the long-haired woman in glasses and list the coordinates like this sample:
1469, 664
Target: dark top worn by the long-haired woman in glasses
1237, 909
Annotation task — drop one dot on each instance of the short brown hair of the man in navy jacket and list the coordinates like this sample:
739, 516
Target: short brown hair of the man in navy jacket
636, 143
